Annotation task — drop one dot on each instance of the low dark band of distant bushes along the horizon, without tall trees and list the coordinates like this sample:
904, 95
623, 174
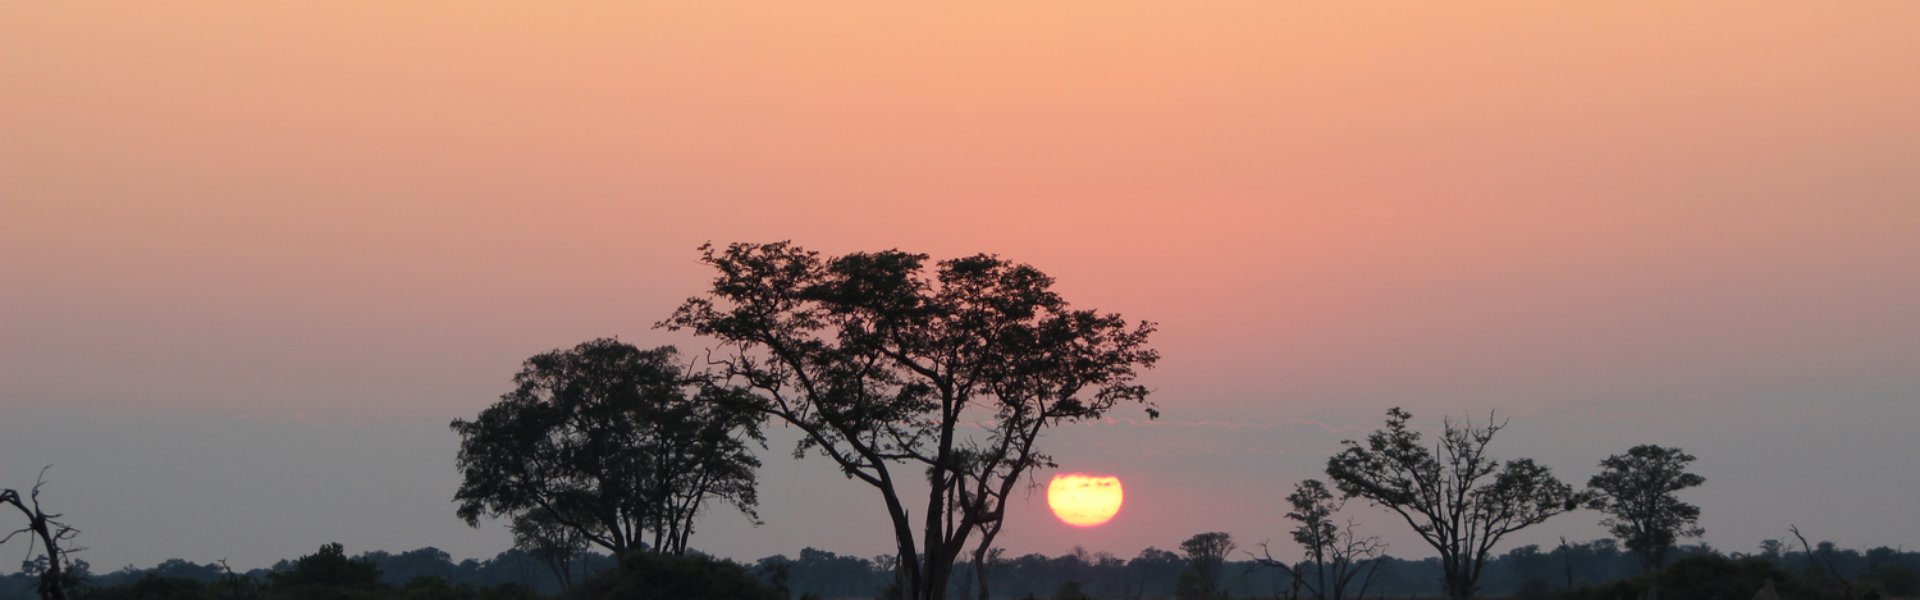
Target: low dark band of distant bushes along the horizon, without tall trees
1600, 570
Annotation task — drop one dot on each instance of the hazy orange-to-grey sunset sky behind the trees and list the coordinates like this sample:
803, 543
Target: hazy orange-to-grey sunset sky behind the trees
256, 257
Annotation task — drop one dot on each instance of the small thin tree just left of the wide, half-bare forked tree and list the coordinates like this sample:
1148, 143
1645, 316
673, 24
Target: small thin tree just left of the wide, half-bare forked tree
1335, 553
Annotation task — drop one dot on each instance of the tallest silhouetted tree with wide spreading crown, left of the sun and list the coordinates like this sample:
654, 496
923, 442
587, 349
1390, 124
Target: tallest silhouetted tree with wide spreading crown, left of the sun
886, 364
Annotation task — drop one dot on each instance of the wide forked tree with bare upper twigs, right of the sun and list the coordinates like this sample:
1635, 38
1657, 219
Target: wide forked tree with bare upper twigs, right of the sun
1458, 499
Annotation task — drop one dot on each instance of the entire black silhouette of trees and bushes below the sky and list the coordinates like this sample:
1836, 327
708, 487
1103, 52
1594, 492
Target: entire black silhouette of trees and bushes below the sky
898, 370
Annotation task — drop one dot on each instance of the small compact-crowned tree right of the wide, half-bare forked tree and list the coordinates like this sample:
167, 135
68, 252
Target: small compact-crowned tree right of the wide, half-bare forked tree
1637, 493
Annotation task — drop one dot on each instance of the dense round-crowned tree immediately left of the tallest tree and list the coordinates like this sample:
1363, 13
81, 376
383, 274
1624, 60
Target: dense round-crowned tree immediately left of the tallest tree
613, 443
